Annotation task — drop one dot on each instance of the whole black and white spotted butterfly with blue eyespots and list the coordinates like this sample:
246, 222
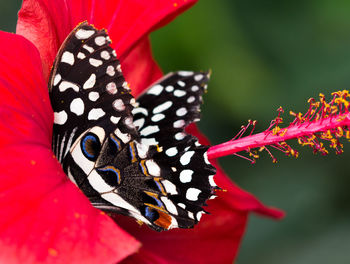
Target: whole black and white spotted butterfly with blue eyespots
129, 157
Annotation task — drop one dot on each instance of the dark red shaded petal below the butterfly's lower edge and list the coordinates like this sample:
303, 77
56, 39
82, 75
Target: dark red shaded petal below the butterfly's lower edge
215, 239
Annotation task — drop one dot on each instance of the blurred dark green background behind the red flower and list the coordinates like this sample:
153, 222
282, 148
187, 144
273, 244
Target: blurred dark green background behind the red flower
265, 55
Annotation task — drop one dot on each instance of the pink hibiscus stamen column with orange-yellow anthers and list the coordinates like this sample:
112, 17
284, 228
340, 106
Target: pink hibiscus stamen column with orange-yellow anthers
323, 122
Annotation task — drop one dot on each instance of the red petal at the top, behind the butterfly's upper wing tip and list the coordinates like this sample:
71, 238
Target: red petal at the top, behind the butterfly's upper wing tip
47, 23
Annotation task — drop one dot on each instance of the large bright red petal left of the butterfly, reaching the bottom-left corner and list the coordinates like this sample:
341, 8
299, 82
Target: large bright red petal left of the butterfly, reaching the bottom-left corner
44, 218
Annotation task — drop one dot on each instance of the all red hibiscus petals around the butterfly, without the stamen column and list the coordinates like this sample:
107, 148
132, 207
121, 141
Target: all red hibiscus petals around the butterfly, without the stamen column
44, 217
